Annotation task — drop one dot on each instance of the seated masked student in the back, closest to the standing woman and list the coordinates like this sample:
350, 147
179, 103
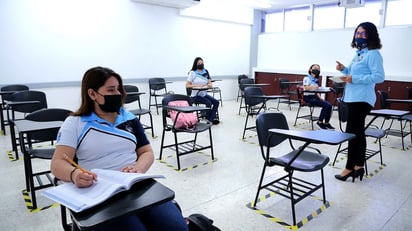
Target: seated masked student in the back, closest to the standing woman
311, 82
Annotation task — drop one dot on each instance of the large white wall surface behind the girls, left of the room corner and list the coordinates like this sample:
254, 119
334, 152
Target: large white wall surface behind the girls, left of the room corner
43, 41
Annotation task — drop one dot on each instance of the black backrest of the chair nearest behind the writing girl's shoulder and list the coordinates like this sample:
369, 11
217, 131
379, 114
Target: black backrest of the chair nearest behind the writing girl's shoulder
44, 115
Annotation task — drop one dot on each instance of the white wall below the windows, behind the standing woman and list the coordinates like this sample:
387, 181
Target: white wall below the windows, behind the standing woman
298, 50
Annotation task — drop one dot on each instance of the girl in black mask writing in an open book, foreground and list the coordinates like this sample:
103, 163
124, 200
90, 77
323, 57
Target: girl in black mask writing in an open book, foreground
102, 134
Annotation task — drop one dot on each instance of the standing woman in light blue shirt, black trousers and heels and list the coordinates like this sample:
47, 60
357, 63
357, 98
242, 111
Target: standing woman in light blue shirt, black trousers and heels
365, 70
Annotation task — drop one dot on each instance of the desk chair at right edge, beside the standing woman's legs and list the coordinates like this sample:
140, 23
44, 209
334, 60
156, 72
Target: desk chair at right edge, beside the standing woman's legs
396, 114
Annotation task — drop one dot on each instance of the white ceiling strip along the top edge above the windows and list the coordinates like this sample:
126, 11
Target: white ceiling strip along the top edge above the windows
256, 4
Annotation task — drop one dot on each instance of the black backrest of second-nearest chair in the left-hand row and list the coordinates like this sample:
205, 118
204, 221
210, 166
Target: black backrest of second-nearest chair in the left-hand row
29, 95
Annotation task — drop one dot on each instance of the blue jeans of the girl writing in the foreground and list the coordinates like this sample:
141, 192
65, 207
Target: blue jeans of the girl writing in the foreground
165, 216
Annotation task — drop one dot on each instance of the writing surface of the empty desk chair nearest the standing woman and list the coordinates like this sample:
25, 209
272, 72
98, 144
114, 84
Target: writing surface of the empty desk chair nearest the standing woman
317, 136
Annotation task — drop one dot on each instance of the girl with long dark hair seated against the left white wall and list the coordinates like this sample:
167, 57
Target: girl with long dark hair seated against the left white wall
199, 77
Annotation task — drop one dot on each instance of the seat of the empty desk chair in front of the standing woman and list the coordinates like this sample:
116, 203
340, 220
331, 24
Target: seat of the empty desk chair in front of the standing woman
306, 162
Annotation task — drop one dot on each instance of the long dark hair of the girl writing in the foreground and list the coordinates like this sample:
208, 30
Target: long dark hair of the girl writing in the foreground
94, 78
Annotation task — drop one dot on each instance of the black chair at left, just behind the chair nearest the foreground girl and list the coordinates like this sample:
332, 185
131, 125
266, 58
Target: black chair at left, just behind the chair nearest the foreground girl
24, 109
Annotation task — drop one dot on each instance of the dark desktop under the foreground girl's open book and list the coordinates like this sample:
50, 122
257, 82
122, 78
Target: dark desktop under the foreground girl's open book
142, 195
